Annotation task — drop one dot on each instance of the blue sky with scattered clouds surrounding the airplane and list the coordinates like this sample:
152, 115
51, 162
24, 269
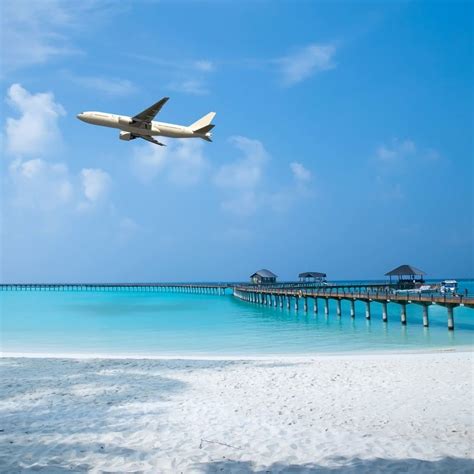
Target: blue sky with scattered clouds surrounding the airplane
343, 139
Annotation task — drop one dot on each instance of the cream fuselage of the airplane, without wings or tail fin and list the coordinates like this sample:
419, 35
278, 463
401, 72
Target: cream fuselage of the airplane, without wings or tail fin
126, 124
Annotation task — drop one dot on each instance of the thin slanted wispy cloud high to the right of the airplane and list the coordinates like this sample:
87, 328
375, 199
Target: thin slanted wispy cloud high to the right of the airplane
306, 62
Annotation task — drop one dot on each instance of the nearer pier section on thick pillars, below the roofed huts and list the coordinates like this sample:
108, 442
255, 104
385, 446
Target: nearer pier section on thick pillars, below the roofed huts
284, 297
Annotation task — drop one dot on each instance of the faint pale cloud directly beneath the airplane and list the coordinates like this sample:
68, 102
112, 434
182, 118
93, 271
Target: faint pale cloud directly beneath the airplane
182, 162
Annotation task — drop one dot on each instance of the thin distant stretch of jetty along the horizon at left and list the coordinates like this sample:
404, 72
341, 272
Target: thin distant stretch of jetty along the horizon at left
201, 288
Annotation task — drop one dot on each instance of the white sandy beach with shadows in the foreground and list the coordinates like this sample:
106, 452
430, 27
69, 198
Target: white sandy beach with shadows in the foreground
371, 413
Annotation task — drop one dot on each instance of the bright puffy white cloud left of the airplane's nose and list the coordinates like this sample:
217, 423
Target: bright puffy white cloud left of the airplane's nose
36, 131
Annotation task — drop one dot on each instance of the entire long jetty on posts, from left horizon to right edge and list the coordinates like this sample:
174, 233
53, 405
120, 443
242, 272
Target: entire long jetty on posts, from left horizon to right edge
286, 294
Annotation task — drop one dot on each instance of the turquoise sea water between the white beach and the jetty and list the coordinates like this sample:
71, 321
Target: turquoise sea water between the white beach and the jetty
145, 323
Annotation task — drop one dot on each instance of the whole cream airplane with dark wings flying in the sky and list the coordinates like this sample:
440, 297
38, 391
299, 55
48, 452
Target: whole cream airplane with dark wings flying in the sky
143, 126
